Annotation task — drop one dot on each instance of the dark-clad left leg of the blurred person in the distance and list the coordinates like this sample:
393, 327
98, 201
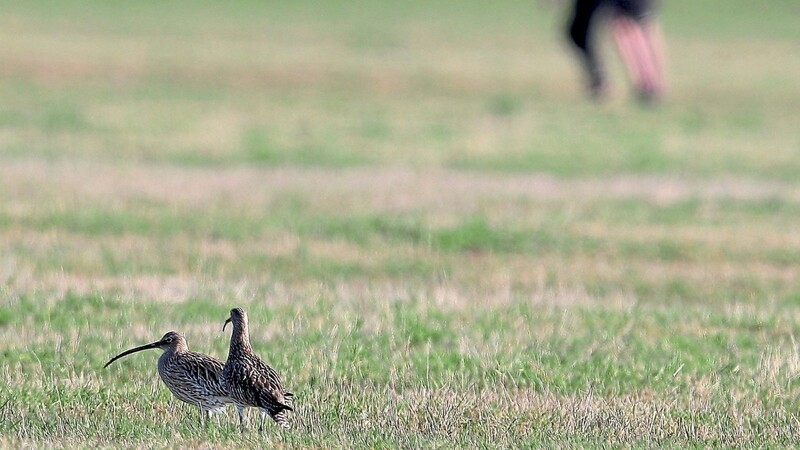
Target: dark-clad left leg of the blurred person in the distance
580, 34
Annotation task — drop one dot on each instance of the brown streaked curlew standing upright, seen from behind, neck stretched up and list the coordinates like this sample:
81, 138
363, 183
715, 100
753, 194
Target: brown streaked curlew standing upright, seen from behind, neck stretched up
249, 380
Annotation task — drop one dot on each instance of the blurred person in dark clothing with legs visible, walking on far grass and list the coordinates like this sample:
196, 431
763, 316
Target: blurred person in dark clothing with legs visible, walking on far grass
637, 36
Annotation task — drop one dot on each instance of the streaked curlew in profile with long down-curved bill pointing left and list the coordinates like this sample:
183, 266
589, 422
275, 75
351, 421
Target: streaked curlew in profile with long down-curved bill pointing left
192, 377
